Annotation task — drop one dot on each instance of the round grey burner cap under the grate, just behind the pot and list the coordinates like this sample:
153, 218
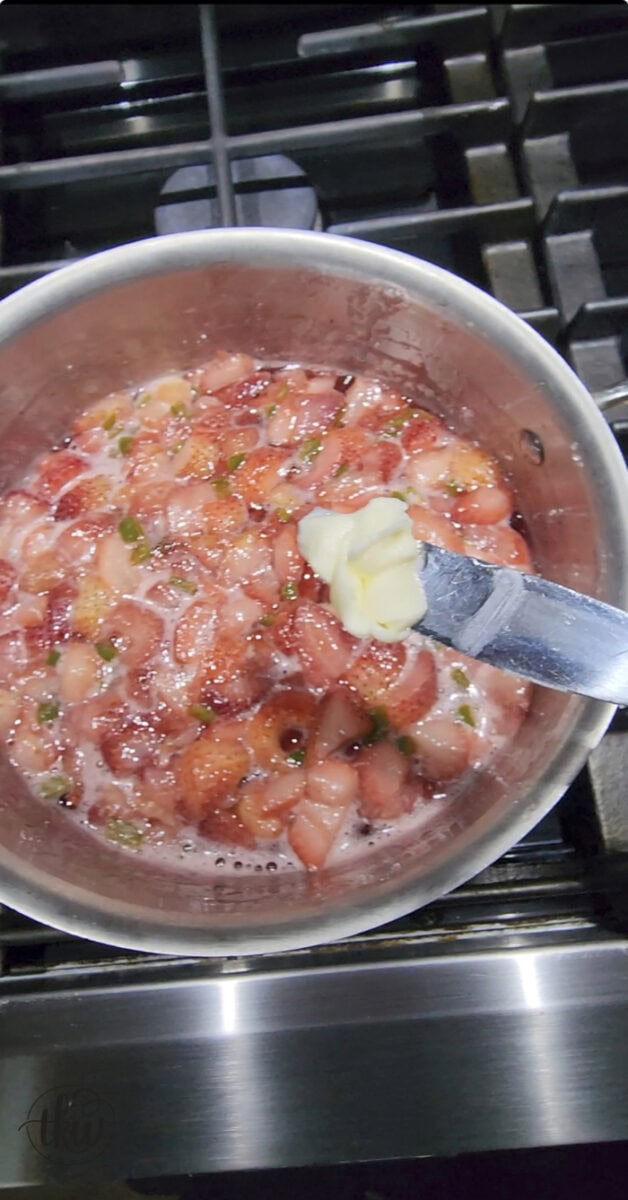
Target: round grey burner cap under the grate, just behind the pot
267, 195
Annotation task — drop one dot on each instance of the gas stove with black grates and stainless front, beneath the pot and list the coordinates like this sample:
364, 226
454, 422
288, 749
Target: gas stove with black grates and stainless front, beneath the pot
491, 141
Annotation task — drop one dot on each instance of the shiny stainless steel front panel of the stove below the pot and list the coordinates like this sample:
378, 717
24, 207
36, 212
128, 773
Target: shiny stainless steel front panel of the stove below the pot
465, 1051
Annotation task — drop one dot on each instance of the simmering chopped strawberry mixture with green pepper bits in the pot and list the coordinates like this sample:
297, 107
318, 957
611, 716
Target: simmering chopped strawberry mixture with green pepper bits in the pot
170, 667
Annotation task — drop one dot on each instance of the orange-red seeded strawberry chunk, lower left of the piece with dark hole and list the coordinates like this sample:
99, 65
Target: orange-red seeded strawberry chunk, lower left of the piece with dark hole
210, 772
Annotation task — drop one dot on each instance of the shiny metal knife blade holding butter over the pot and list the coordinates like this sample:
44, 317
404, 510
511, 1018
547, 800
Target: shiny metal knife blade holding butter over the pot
525, 625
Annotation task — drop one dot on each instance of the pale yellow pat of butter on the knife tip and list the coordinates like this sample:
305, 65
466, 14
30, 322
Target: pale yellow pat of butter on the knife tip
372, 562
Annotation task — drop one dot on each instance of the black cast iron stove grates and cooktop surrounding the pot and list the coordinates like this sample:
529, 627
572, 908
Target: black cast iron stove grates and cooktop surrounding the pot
489, 140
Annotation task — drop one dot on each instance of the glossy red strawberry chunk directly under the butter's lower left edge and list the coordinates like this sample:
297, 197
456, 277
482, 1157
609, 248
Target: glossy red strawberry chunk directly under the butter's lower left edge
322, 645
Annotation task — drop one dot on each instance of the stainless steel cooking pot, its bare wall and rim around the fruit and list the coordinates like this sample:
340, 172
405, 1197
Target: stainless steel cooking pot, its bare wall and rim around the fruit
130, 314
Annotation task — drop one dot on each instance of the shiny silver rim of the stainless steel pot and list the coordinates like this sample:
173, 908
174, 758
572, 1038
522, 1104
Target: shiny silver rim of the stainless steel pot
73, 909
